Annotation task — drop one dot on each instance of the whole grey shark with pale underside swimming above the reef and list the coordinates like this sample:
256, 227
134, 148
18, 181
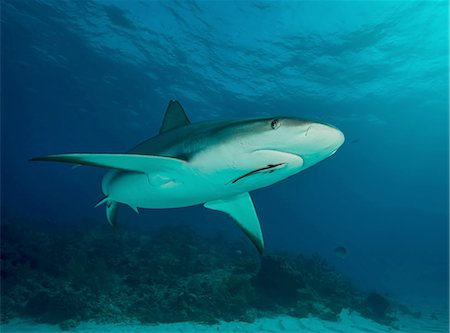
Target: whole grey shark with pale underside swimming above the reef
213, 163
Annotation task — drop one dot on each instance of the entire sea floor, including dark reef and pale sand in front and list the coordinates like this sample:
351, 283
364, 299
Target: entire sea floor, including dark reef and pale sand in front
85, 279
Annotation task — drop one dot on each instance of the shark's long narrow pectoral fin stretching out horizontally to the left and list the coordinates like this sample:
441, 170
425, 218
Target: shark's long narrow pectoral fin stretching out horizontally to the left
129, 162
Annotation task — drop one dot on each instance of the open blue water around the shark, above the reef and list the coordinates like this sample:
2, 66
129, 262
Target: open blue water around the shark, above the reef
96, 76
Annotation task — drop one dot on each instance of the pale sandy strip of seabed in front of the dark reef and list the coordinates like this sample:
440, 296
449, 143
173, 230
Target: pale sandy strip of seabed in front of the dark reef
348, 322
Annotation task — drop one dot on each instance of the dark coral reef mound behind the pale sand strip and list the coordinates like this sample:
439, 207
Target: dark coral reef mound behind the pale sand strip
64, 275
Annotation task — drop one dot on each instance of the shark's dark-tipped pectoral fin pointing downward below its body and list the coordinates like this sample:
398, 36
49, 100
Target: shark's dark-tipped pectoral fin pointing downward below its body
241, 209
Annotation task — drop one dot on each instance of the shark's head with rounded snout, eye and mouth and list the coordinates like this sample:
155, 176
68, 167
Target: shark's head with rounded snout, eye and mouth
259, 152
